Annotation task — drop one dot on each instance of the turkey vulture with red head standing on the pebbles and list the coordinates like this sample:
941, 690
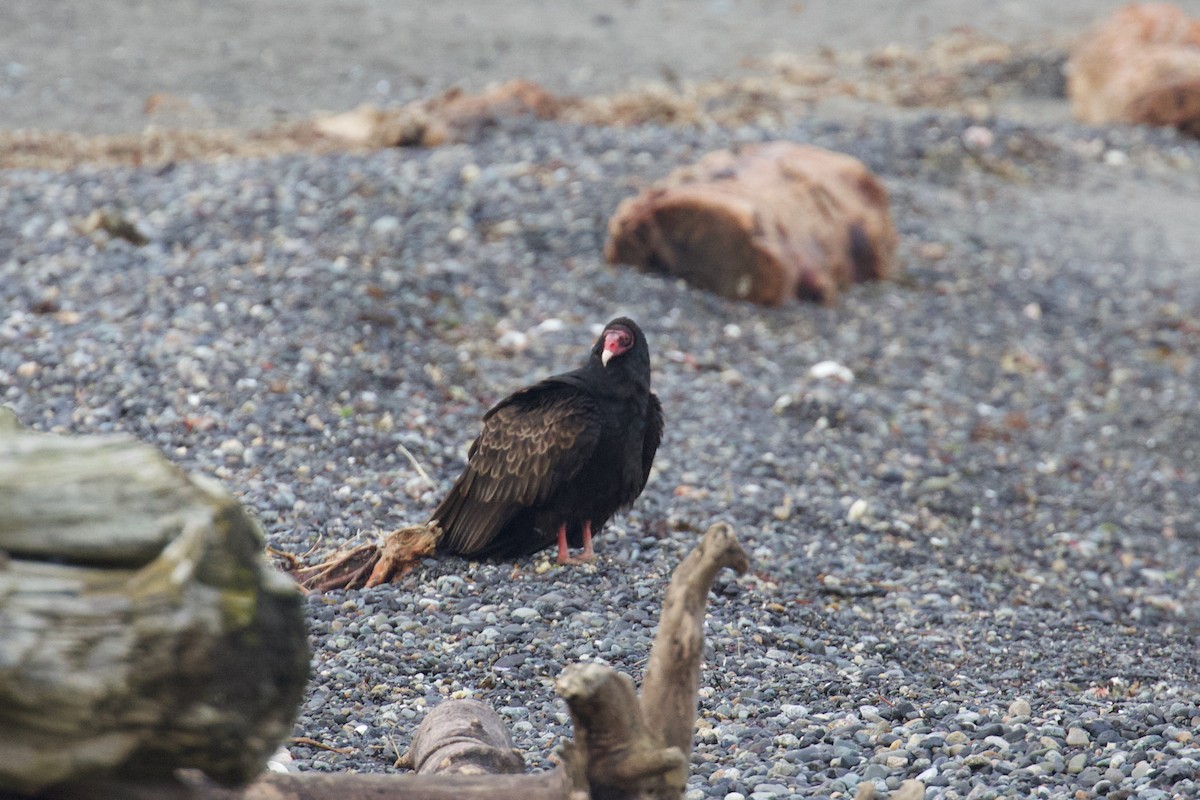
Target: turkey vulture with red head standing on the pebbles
557, 460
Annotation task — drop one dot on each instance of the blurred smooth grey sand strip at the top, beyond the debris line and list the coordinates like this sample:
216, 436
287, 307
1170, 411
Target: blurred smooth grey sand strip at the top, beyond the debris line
111, 67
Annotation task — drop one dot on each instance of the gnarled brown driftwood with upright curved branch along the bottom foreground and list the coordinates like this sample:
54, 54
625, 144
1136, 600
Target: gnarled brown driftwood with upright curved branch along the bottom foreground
625, 748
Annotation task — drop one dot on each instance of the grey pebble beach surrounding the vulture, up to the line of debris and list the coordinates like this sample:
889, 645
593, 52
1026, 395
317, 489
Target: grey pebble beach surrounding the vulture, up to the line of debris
977, 564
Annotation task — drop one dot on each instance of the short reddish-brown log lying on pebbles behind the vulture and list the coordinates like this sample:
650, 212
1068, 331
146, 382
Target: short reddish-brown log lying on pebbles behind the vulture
770, 224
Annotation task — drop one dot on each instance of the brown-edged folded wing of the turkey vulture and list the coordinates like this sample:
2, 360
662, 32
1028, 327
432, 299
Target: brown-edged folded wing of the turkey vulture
532, 443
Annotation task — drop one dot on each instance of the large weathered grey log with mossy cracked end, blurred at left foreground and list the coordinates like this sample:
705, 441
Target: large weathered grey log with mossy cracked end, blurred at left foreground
141, 630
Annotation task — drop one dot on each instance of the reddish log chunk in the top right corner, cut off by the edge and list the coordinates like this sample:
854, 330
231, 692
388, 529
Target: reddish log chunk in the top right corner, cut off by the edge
1141, 67
